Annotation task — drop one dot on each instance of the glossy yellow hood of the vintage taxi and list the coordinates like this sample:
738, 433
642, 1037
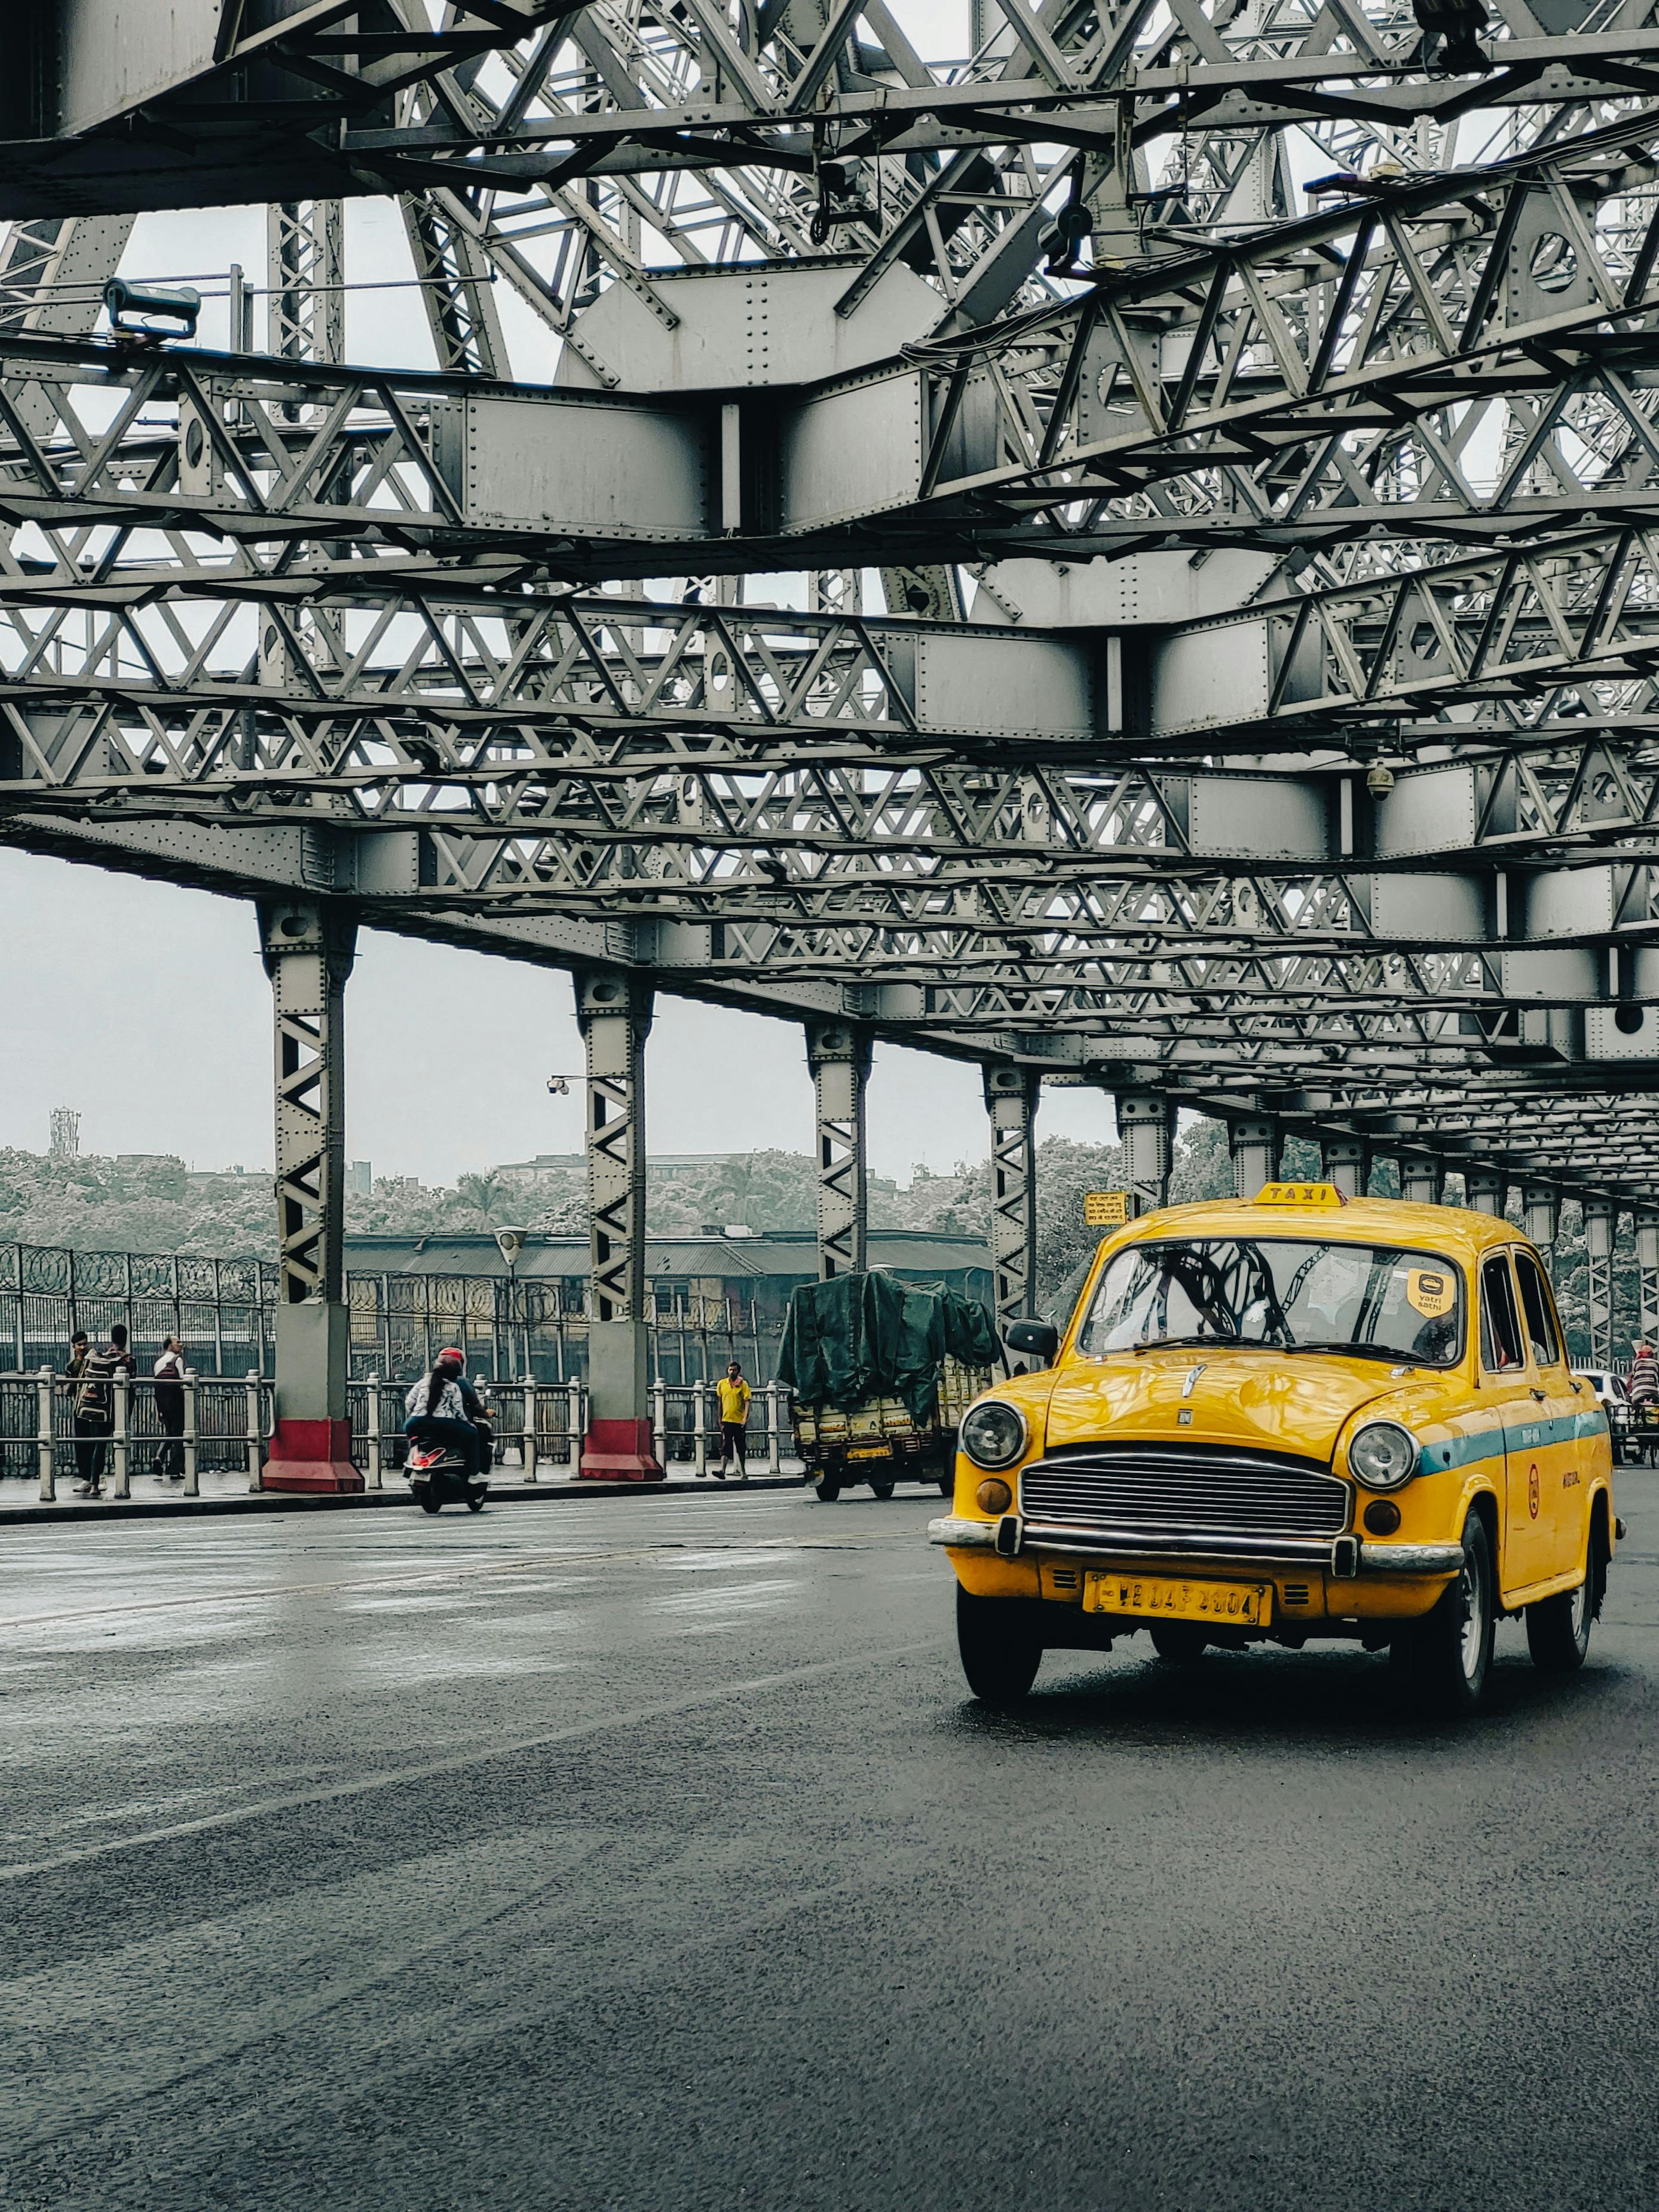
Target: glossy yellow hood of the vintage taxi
1266, 1401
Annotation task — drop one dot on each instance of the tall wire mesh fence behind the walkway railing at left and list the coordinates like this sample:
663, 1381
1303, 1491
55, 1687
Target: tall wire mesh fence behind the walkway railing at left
225, 1315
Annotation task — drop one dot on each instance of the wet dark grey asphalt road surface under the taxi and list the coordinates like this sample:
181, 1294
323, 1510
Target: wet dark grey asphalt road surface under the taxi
651, 1857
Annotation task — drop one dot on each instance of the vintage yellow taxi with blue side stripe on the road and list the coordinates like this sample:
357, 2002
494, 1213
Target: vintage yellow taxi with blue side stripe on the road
1286, 1419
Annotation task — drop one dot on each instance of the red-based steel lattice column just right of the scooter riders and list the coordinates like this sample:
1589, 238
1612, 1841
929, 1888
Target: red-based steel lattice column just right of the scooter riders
614, 1014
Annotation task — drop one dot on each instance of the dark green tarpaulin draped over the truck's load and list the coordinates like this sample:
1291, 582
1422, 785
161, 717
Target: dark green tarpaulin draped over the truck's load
873, 1337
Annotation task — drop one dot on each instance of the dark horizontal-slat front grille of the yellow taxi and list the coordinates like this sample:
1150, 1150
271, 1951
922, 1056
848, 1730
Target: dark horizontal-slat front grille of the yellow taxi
1185, 1490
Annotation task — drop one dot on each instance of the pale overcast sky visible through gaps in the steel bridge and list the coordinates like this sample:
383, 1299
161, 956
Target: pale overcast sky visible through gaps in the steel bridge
147, 1008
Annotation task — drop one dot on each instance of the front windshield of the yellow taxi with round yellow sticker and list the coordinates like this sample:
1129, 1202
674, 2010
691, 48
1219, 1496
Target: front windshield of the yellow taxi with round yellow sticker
1302, 1295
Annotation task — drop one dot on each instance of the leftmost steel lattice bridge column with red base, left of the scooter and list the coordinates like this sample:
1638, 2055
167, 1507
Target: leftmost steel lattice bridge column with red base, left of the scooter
309, 954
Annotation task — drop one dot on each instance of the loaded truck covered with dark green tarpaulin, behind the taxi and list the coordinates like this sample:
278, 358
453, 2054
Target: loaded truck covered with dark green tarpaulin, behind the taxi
879, 1377
